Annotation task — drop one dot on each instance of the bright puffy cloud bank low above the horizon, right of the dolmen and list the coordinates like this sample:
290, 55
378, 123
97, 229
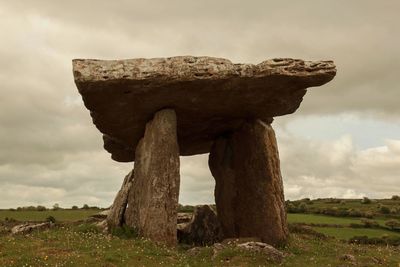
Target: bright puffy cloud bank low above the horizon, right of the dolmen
335, 168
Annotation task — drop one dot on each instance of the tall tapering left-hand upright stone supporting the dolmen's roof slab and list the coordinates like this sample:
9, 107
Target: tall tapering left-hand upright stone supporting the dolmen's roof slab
153, 199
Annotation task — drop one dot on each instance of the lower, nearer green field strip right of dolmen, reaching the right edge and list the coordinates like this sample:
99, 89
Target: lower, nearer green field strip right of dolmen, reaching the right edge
347, 233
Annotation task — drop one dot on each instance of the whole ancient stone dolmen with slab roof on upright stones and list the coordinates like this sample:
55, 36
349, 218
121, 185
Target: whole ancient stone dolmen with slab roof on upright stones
151, 111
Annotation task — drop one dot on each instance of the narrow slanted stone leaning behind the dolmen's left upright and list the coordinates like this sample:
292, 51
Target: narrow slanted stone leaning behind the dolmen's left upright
115, 216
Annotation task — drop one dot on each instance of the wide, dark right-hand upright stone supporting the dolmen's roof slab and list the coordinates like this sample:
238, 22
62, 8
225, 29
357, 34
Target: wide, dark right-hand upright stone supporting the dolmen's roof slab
249, 190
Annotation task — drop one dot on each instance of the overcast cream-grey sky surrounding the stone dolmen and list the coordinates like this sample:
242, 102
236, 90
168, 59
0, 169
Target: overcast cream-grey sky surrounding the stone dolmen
344, 141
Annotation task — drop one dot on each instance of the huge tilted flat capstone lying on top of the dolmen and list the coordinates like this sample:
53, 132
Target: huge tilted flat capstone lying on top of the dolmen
211, 96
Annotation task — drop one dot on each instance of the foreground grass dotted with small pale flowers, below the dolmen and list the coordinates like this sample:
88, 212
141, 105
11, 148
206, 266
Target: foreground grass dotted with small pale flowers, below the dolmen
68, 246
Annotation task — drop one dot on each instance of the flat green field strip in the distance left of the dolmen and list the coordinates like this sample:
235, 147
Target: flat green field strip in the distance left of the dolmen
60, 215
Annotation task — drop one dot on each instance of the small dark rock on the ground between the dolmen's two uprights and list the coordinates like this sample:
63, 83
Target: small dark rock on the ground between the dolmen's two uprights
202, 230
